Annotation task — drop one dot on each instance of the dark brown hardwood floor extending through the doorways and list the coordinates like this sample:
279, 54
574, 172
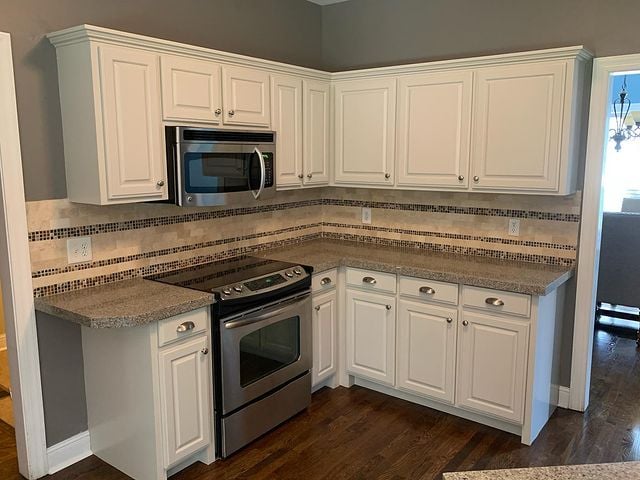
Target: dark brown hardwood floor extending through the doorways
356, 434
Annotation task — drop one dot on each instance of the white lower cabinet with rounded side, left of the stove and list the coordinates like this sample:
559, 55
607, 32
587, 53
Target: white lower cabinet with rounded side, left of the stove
150, 395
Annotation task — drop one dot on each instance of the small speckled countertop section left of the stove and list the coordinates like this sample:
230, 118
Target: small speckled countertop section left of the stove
128, 303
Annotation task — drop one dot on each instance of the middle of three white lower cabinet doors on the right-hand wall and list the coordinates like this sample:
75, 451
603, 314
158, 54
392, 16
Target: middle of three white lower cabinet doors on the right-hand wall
427, 350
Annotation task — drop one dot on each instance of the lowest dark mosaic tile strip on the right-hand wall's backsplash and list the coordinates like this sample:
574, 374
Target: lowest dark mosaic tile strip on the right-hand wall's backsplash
436, 247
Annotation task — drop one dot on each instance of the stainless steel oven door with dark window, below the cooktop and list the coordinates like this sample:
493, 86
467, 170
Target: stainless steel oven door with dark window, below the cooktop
264, 349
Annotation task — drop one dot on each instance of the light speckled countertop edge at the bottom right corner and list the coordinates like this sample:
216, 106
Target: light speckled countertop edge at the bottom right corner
602, 471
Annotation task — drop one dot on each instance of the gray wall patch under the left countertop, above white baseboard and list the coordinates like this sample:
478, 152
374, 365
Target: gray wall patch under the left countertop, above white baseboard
62, 372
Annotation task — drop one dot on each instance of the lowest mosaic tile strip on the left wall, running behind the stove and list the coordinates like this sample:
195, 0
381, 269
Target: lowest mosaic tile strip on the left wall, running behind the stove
163, 267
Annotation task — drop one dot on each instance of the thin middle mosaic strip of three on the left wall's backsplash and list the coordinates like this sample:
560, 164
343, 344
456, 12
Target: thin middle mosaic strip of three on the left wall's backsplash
166, 251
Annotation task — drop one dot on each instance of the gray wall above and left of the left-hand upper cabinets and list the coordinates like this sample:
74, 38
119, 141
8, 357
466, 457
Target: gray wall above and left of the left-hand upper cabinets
283, 30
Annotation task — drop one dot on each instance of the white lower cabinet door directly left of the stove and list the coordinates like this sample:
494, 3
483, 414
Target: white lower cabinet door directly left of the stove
185, 387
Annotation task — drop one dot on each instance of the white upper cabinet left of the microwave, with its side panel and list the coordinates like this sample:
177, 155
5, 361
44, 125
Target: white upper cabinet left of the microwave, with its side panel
112, 123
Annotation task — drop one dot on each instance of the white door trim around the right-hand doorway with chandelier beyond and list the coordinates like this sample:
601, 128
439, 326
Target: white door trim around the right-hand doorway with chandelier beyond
591, 224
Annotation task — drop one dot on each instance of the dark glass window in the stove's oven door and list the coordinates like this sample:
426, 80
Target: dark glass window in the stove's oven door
269, 349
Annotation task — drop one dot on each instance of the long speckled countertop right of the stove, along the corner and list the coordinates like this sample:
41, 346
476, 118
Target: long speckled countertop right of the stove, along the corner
521, 277
